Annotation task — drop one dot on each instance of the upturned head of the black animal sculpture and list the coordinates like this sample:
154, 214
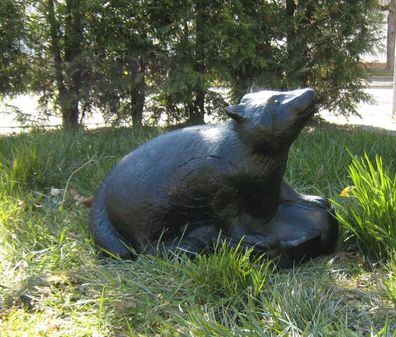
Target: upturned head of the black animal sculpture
273, 119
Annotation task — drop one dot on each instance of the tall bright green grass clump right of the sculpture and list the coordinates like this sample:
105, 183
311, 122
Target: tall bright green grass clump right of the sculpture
369, 211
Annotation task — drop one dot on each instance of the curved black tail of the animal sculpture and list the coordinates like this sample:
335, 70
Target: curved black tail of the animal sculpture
104, 234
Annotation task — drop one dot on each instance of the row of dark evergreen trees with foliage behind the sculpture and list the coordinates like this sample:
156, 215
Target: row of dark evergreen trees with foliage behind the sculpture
174, 60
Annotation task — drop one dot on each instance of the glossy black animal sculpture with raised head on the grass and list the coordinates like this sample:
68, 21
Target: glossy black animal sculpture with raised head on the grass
186, 189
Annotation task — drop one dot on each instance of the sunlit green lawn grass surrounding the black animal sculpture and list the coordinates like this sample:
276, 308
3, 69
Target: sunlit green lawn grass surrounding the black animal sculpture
54, 283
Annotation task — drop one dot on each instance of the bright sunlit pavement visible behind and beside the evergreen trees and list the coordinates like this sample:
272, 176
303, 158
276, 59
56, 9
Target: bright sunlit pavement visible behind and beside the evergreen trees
377, 116
